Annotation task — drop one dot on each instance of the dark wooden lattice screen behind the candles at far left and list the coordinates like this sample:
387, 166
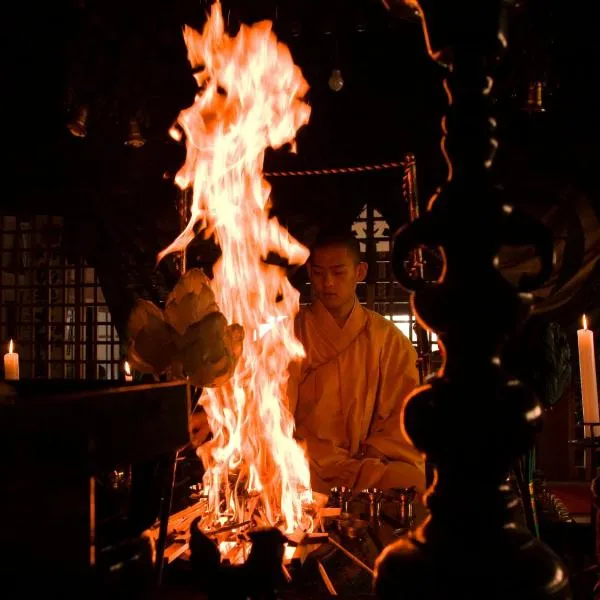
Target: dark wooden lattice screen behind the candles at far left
51, 307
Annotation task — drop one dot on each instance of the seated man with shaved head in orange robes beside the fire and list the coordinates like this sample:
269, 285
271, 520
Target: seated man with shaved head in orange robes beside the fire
348, 393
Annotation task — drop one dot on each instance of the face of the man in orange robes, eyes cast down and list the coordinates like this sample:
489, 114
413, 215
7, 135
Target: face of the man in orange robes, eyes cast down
334, 273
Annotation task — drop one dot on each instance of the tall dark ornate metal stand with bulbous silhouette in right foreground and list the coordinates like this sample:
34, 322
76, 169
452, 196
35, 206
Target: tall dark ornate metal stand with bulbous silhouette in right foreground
470, 546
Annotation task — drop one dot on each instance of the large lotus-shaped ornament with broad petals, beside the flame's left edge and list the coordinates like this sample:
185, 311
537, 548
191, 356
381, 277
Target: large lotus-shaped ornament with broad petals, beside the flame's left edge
190, 338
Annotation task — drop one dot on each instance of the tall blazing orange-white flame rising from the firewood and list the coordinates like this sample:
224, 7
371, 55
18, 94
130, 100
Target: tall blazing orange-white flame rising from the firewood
250, 98
